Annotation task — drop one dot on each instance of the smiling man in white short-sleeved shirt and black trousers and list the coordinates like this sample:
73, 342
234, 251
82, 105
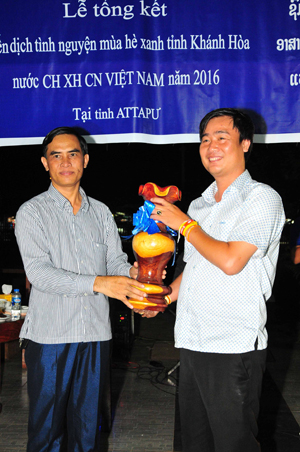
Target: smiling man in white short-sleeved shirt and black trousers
232, 241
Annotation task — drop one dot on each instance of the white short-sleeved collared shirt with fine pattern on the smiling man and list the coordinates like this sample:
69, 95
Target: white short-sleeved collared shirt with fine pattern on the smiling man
218, 313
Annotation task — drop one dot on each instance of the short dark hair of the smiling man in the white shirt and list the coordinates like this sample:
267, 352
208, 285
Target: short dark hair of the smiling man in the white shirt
241, 121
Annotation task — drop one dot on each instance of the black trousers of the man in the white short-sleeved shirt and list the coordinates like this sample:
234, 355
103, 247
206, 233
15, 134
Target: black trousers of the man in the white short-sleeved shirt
219, 400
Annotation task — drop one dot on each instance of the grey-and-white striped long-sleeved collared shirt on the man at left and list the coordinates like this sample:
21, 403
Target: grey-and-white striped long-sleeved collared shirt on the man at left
62, 254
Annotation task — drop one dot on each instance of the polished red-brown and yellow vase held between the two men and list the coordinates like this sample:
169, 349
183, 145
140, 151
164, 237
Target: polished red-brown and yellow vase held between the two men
153, 252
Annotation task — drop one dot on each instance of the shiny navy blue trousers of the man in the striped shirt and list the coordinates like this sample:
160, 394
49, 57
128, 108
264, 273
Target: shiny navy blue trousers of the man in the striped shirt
65, 384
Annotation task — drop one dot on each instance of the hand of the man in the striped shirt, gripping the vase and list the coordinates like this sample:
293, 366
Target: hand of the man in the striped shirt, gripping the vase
119, 287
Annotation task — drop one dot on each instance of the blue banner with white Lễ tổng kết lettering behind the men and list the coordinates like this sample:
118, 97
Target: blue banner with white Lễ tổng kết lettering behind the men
147, 70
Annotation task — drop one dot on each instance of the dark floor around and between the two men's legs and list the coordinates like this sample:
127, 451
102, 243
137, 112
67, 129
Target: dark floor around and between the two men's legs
144, 391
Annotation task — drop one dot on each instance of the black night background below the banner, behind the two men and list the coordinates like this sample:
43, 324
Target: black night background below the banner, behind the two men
116, 171
